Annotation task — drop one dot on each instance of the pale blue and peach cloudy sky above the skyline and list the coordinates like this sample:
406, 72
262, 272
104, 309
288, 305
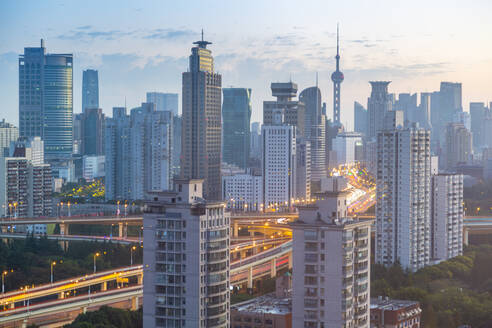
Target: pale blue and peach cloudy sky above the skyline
141, 46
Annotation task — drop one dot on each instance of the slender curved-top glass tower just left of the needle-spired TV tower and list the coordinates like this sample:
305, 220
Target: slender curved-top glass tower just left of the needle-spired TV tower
315, 131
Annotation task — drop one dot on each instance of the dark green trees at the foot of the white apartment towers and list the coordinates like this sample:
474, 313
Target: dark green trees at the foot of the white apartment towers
452, 293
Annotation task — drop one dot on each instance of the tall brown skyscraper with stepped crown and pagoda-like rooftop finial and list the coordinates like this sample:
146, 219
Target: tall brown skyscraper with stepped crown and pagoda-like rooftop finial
202, 126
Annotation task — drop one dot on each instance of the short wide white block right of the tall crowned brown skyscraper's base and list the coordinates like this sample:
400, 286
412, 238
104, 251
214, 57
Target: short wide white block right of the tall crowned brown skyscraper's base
243, 191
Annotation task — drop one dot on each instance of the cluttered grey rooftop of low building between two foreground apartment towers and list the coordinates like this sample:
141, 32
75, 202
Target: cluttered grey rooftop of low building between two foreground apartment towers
265, 304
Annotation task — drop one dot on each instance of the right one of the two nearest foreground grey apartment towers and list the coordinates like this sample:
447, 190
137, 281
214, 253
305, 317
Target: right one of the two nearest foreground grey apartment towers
331, 268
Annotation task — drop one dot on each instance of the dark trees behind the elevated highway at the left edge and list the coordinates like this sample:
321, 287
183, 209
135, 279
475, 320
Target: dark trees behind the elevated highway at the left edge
27, 261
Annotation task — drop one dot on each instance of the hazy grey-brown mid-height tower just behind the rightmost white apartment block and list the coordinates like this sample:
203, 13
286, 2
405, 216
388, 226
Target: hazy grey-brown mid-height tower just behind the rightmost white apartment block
458, 146
